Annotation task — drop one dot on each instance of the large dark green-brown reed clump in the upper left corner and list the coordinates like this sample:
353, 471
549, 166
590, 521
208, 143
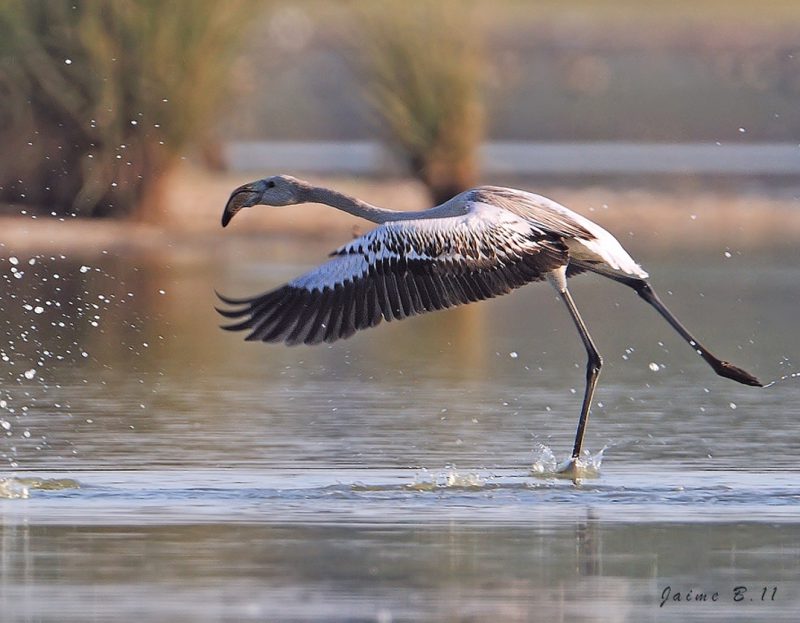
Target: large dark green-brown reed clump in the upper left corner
98, 98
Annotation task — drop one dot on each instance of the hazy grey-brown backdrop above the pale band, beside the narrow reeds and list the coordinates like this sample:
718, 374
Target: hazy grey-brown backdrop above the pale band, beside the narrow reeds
553, 71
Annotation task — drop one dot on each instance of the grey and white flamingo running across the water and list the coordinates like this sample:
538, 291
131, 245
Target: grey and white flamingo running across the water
482, 243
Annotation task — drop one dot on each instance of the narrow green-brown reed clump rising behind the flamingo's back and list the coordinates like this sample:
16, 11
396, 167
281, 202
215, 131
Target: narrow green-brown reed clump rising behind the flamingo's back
422, 67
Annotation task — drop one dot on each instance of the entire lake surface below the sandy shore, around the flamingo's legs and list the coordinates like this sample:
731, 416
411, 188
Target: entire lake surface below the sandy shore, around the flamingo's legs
156, 468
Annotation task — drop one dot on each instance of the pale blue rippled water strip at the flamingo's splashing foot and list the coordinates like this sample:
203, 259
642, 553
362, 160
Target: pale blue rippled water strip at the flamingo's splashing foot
396, 496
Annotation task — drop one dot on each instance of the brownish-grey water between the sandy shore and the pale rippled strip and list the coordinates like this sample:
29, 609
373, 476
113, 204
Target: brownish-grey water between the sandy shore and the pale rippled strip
118, 357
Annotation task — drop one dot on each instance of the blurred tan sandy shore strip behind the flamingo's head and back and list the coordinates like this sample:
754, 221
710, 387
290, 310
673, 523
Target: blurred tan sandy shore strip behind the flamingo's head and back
668, 215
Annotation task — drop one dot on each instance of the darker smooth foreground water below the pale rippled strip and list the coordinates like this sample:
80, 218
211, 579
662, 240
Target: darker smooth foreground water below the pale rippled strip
256, 572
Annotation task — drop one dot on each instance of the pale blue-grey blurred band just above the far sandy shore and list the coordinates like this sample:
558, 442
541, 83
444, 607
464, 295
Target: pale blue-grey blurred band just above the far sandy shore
564, 159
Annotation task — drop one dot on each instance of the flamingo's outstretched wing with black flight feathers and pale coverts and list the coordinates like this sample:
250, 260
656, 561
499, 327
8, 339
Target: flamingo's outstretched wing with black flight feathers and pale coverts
400, 269
